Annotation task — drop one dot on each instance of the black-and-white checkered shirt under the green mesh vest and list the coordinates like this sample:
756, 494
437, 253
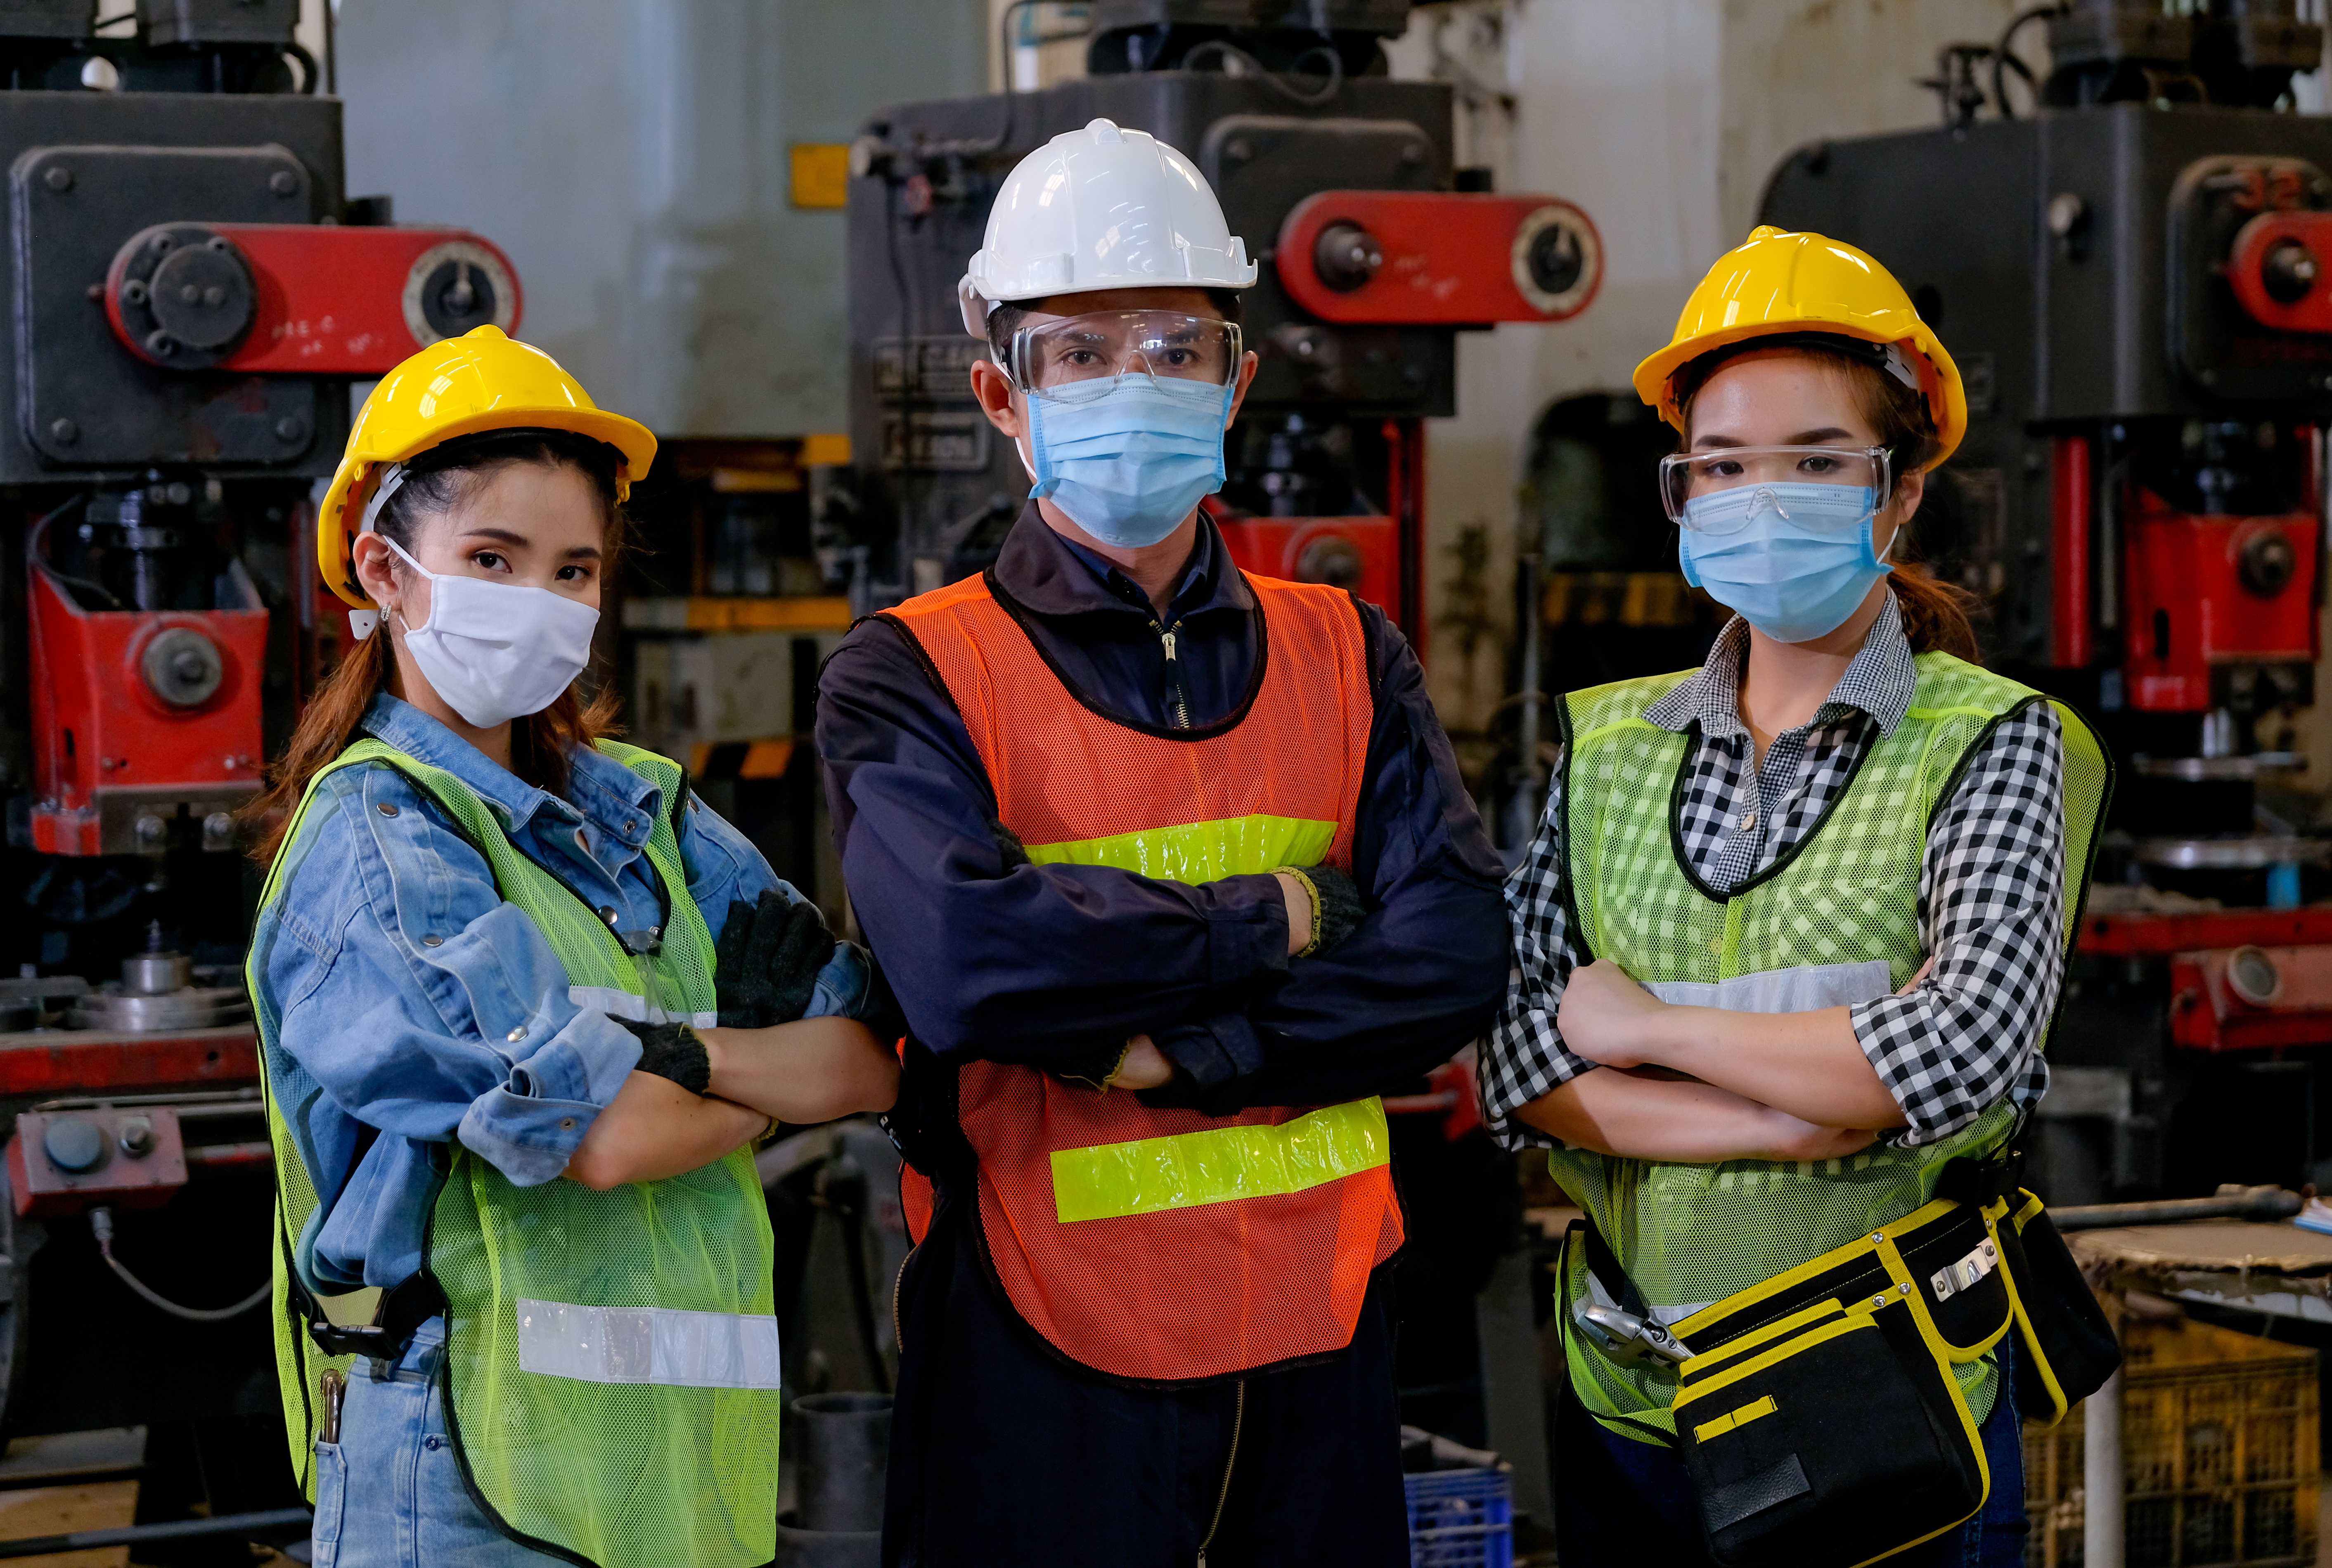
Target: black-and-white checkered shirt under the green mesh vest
1990, 889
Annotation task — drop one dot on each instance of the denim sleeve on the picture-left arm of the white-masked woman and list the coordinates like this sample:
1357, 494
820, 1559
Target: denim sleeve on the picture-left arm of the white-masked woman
426, 1005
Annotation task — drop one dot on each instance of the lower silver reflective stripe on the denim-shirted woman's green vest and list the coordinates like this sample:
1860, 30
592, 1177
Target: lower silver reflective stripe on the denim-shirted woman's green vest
647, 1345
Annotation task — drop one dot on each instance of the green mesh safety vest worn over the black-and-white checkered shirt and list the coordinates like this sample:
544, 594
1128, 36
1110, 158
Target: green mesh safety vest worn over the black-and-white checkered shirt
1832, 924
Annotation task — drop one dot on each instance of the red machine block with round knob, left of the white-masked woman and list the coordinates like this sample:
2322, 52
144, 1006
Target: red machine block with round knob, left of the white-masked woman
115, 761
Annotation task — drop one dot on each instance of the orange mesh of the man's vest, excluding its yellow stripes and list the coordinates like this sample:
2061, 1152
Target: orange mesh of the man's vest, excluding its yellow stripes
1221, 1287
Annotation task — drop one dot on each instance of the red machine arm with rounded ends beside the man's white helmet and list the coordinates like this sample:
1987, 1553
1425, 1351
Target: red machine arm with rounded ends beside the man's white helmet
1440, 257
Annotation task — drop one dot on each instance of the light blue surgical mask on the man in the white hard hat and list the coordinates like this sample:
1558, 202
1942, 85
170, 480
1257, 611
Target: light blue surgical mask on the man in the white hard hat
1130, 465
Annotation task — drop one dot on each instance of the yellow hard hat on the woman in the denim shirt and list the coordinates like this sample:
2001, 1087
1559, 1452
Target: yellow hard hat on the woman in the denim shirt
461, 388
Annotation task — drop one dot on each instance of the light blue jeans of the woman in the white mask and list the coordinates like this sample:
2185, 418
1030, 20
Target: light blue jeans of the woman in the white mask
388, 1495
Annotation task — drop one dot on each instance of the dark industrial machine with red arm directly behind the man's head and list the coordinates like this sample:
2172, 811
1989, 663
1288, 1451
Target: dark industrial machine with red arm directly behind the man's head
1375, 255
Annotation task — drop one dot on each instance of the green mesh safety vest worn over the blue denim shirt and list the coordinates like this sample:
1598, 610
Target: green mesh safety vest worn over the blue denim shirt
612, 1366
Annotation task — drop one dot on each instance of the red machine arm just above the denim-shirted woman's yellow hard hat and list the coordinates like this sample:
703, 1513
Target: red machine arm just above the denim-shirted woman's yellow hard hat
325, 299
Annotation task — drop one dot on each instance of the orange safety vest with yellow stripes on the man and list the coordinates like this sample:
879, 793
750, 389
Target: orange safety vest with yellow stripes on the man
1165, 1245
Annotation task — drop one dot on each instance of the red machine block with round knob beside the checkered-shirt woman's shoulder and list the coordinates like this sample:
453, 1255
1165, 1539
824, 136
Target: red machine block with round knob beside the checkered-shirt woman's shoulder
2214, 591
